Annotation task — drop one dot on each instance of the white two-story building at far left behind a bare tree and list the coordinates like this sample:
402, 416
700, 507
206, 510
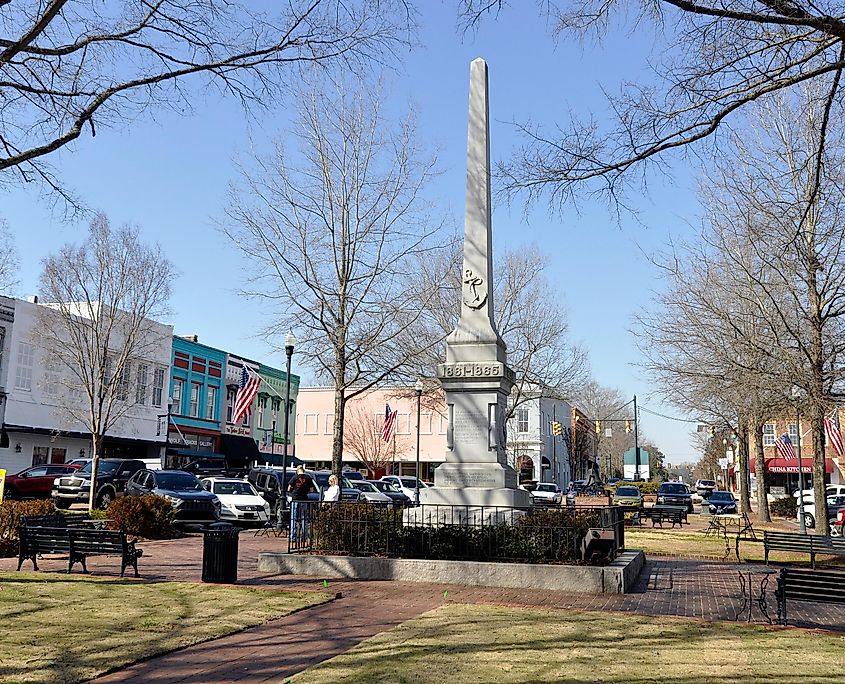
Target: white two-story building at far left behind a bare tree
36, 425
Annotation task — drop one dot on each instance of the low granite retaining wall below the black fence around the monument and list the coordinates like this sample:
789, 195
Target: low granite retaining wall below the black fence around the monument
616, 578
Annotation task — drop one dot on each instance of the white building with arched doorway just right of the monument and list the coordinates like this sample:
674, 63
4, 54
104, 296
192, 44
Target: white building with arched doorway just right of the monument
535, 452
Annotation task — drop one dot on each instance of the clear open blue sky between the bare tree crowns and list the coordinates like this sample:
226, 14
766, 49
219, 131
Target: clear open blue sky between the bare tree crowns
169, 176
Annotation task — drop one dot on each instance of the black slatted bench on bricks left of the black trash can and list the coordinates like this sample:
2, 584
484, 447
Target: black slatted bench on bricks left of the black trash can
78, 544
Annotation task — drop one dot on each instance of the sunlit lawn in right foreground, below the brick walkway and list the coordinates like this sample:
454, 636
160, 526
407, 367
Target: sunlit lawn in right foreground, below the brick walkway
460, 643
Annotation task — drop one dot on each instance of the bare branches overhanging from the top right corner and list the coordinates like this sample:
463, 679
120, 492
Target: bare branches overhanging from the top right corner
715, 59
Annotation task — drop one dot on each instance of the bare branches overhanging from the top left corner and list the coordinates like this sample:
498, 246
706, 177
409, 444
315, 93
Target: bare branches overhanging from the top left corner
71, 66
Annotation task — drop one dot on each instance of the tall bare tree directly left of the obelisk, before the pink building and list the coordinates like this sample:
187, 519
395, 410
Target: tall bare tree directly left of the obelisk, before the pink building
334, 236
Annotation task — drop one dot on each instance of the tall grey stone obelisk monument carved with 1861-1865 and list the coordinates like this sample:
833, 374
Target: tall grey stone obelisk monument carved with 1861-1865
476, 377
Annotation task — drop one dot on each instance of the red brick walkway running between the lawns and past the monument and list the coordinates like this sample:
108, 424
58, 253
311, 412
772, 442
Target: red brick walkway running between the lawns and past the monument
696, 589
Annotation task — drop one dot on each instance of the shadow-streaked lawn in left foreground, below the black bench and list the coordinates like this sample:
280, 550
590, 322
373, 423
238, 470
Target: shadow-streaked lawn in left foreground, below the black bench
59, 628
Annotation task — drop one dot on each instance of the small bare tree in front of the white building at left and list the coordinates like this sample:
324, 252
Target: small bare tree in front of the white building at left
102, 298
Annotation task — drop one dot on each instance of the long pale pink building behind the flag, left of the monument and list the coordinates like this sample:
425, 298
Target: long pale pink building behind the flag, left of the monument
365, 414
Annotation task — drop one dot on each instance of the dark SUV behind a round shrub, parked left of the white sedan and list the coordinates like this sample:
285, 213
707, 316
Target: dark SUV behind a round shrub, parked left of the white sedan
191, 503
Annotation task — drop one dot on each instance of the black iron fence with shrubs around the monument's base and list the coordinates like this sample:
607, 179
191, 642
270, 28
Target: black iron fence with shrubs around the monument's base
481, 533
